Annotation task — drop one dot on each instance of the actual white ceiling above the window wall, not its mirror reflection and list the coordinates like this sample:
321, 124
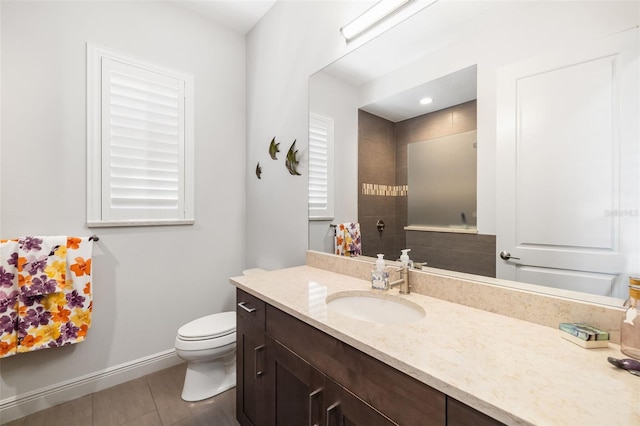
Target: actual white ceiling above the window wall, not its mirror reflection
237, 15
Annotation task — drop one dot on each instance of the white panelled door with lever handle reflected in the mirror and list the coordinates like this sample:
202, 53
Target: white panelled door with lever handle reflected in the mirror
568, 169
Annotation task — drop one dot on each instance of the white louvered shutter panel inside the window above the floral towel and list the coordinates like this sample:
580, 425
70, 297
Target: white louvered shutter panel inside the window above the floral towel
142, 135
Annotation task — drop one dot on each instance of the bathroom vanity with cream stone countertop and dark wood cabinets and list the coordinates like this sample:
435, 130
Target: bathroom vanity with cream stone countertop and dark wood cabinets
300, 362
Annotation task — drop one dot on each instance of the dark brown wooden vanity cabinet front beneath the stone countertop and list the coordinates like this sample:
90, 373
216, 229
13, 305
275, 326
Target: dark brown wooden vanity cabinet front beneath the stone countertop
290, 373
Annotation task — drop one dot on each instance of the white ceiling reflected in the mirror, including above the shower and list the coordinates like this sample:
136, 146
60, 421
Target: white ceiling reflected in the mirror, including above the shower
429, 30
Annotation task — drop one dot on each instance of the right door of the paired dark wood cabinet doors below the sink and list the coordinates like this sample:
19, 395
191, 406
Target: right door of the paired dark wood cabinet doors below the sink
345, 409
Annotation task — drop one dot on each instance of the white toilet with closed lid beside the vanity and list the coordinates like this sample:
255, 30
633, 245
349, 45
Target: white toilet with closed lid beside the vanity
208, 345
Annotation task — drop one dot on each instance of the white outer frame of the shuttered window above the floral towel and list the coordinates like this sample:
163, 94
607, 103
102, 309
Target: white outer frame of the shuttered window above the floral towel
185, 216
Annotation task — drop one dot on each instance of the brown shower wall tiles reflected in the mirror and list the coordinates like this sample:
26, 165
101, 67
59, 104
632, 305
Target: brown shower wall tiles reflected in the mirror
382, 152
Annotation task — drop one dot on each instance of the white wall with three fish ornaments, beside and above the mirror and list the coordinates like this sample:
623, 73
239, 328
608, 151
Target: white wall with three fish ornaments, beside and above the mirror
293, 41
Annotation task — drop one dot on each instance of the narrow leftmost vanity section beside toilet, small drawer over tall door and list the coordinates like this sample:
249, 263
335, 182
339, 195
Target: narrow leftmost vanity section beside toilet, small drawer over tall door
250, 360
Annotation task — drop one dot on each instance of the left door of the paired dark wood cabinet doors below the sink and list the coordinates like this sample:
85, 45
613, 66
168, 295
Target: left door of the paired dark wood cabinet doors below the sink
295, 390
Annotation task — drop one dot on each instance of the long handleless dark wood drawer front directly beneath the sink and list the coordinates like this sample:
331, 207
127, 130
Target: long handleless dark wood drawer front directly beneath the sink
401, 398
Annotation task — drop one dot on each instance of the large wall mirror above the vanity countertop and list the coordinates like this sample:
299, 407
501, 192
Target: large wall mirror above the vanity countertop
550, 92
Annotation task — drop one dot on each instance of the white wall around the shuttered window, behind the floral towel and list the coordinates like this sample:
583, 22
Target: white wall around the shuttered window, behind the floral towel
148, 281
